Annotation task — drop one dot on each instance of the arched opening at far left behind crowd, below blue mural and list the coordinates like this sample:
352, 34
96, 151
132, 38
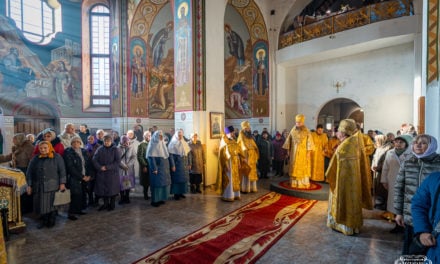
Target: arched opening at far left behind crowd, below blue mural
33, 116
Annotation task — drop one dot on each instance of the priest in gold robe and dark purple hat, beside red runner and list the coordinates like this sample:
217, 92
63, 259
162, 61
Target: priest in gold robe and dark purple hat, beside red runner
229, 163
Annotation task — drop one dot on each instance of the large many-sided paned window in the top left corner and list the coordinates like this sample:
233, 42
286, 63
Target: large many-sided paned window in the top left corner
38, 20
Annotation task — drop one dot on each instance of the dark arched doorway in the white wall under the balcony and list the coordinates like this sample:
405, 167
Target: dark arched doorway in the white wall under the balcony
338, 109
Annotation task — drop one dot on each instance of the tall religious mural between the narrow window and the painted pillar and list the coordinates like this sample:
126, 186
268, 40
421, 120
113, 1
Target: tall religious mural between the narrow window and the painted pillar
151, 70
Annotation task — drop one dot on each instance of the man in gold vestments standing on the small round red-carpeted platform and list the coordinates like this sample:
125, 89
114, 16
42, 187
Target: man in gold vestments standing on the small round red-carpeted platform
299, 144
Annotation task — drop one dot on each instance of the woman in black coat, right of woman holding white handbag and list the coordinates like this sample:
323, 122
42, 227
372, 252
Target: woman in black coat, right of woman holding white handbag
77, 162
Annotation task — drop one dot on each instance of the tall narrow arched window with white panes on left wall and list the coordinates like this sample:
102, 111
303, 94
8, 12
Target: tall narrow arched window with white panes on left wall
100, 55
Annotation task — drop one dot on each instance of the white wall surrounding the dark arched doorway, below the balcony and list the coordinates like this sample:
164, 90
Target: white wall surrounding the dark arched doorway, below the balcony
380, 81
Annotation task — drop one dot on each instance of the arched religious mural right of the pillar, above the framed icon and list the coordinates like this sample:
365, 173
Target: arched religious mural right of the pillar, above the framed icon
246, 61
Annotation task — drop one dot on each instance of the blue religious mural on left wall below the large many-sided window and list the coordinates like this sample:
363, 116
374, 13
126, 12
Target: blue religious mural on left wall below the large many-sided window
51, 73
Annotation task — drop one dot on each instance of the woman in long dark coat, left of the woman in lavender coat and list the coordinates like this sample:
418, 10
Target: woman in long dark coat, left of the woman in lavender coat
106, 162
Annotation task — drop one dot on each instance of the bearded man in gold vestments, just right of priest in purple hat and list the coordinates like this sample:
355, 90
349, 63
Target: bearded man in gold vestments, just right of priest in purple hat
251, 153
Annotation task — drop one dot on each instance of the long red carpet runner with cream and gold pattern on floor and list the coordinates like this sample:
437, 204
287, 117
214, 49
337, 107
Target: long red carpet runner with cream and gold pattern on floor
242, 236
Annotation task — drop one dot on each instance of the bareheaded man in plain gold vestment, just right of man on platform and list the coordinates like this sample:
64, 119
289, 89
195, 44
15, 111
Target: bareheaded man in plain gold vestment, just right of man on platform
320, 140
